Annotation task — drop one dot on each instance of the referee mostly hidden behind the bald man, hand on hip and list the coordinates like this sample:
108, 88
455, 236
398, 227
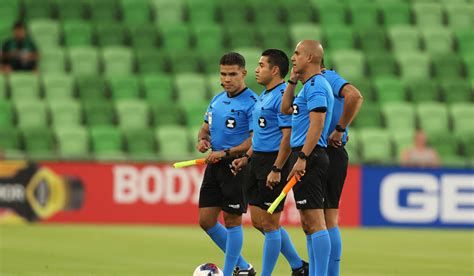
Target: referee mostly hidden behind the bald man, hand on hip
347, 102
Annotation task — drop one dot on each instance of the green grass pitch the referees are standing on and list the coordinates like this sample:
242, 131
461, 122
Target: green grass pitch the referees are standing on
170, 250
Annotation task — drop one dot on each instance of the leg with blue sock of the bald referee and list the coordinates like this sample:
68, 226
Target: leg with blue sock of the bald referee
314, 225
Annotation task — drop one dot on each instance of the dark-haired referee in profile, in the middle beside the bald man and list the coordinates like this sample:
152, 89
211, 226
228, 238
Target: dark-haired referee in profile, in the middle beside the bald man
268, 170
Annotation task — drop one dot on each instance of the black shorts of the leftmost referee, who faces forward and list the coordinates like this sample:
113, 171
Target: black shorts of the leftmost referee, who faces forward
220, 188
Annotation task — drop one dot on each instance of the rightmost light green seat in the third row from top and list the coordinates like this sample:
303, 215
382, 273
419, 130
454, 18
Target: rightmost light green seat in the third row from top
414, 65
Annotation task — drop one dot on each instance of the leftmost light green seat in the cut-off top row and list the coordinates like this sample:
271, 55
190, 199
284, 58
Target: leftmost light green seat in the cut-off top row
168, 12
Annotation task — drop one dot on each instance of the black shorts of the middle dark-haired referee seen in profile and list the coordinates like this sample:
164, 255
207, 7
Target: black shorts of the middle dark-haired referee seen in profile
256, 189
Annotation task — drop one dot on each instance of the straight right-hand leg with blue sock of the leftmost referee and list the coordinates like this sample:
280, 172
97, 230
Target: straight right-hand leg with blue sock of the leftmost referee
233, 223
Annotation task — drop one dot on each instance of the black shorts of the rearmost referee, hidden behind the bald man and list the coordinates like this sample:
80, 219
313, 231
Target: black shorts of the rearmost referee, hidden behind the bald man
337, 172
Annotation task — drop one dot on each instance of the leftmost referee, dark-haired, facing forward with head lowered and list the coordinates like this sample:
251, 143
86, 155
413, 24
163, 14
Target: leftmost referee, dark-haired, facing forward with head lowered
227, 132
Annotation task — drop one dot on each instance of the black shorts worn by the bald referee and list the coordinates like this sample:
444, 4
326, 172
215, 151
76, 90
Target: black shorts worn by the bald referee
309, 191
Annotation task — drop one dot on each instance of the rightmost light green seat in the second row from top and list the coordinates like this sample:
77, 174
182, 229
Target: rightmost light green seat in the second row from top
437, 40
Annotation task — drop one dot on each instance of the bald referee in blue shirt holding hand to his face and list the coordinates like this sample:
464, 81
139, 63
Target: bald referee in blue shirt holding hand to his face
312, 111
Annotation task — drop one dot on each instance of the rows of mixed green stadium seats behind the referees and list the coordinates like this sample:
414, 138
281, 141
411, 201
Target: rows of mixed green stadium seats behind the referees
118, 69
